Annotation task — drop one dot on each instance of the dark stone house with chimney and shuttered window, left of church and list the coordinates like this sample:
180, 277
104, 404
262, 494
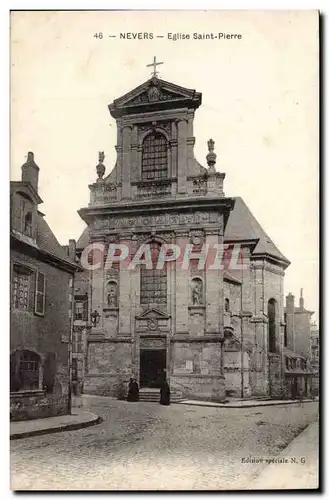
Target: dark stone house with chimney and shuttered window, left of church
41, 277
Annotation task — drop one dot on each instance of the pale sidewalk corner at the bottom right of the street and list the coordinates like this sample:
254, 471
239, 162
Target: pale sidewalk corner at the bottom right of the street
301, 467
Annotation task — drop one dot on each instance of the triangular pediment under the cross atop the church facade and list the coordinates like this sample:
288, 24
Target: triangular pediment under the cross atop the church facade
152, 93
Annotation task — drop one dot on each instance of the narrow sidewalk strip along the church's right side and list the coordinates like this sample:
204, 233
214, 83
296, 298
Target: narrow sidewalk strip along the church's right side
246, 403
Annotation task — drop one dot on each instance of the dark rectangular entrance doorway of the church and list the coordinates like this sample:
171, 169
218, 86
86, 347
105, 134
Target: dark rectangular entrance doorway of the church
152, 367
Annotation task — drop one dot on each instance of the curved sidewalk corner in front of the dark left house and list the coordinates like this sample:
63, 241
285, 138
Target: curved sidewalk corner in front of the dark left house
77, 420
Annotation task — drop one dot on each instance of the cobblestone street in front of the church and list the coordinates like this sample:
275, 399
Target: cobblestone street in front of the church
142, 446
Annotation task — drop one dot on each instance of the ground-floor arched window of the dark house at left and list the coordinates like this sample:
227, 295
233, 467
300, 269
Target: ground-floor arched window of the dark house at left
25, 371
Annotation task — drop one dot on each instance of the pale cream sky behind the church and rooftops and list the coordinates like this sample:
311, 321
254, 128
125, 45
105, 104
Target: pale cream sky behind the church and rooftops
259, 105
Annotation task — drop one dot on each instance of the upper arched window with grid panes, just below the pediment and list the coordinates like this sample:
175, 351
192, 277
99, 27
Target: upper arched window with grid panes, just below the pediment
155, 157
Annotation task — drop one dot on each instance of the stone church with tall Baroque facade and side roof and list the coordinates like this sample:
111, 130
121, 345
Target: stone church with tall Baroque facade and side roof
210, 331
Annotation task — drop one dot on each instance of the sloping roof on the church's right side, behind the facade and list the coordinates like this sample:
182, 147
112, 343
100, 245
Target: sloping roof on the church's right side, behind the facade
242, 226
